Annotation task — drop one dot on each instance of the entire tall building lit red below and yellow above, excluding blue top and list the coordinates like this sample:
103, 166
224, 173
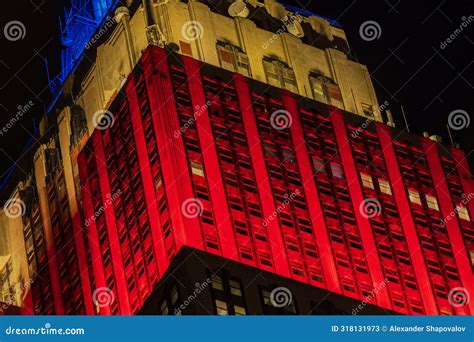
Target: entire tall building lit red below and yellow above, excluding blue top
239, 132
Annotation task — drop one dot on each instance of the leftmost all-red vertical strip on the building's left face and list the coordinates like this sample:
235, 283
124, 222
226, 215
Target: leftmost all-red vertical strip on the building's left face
92, 235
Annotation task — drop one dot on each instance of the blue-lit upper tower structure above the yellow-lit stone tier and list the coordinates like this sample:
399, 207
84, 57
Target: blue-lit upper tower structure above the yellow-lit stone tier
78, 25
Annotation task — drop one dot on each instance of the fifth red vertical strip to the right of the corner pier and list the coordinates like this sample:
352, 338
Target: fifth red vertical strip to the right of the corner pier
408, 223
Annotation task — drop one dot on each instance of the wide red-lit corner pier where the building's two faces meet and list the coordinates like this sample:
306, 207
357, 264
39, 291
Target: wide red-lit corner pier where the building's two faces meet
176, 175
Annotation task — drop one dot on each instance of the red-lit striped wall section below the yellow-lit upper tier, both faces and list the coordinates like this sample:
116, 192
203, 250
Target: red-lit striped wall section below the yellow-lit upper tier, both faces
190, 133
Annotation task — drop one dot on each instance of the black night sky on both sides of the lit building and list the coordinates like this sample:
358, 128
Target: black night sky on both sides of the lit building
408, 66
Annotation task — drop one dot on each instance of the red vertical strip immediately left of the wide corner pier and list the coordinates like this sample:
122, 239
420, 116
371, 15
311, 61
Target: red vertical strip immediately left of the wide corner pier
157, 235
